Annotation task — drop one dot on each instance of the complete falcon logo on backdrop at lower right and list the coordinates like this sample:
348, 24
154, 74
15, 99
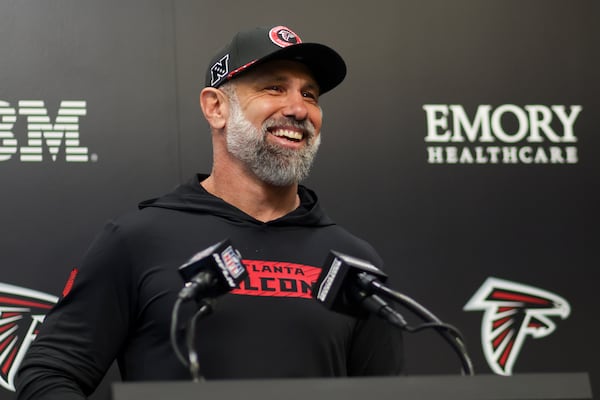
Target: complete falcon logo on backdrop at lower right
512, 312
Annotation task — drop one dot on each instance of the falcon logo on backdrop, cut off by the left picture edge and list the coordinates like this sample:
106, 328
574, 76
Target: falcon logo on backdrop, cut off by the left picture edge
21, 313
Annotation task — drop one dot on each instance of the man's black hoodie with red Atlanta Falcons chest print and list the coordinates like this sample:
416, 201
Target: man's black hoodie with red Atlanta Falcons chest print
121, 302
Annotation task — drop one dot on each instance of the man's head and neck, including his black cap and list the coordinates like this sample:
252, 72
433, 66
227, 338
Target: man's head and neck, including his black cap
266, 118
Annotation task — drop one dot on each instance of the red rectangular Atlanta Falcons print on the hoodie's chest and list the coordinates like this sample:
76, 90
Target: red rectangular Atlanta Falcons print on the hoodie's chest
277, 279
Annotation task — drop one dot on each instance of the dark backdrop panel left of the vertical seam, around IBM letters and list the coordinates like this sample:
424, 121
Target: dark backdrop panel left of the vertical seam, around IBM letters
117, 59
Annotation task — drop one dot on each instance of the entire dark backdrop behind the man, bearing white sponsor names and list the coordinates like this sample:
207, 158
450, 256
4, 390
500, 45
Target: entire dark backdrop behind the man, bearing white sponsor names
443, 227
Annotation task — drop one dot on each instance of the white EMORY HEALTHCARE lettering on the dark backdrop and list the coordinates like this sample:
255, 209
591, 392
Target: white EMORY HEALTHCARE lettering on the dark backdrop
533, 134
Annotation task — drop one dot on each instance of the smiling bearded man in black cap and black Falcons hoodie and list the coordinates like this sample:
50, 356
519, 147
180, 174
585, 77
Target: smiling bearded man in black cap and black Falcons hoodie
261, 102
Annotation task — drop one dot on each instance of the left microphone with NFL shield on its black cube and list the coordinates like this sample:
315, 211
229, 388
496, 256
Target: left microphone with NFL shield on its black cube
212, 272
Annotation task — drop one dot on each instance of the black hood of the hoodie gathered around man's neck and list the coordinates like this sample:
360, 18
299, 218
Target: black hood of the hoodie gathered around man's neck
192, 197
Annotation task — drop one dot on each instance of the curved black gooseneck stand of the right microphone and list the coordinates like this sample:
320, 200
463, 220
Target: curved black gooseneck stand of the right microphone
451, 334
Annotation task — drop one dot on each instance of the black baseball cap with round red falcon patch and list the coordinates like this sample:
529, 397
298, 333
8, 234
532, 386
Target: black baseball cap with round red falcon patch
250, 48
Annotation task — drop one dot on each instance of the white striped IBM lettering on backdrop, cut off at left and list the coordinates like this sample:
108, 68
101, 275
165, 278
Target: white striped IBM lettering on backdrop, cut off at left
42, 132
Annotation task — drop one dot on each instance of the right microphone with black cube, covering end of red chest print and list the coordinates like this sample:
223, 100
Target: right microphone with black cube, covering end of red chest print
344, 286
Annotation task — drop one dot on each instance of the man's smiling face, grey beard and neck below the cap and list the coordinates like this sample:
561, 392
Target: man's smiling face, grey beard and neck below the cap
266, 132
